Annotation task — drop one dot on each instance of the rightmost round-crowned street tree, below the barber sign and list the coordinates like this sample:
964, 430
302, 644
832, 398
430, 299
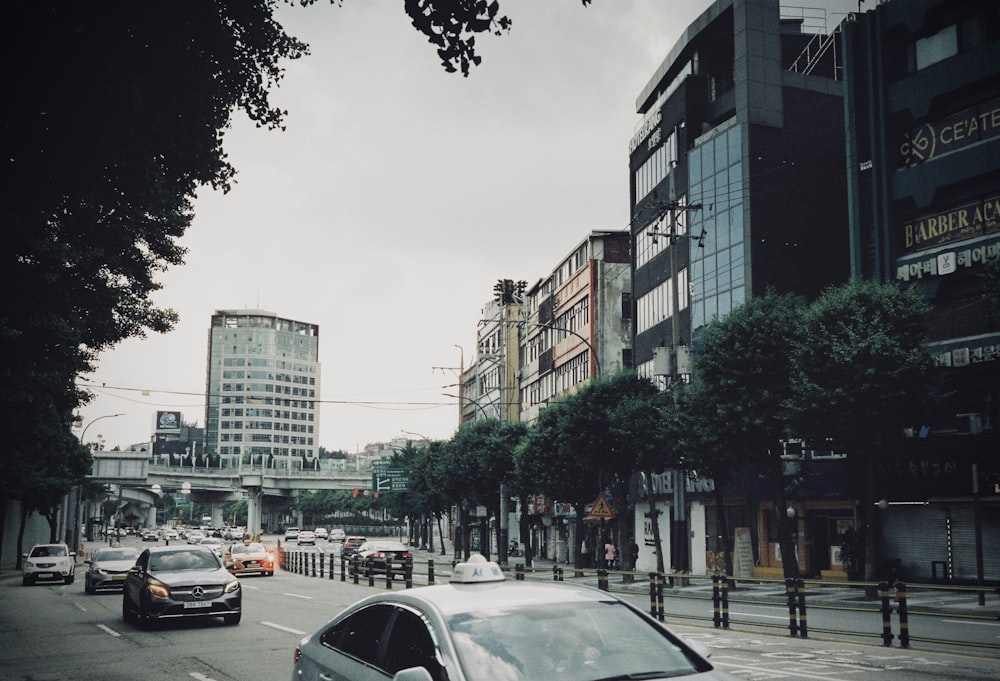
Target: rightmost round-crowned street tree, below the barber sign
863, 377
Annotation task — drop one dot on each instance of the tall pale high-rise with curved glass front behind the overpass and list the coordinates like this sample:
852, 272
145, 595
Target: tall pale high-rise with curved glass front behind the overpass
262, 392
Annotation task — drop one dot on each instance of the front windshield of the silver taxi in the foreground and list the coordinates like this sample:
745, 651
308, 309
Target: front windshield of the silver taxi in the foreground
567, 642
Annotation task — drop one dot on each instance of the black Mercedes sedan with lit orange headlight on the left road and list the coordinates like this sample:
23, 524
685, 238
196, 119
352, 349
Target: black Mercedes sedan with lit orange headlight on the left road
180, 581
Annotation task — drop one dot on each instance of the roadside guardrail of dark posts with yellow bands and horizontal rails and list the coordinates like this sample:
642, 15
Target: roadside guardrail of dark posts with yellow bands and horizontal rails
884, 610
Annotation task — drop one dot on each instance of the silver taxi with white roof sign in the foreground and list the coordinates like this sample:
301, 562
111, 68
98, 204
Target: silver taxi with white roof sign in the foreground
480, 627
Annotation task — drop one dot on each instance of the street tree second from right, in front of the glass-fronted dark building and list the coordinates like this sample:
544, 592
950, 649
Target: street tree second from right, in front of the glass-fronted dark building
743, 394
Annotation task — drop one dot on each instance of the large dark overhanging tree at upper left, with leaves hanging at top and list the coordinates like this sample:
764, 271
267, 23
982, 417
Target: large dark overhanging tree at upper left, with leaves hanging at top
114, 124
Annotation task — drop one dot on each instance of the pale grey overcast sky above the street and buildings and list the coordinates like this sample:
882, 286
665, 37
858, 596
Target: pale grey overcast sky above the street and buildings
395, 198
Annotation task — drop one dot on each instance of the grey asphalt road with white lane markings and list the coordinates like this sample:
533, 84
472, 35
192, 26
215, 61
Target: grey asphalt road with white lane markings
57, 632
